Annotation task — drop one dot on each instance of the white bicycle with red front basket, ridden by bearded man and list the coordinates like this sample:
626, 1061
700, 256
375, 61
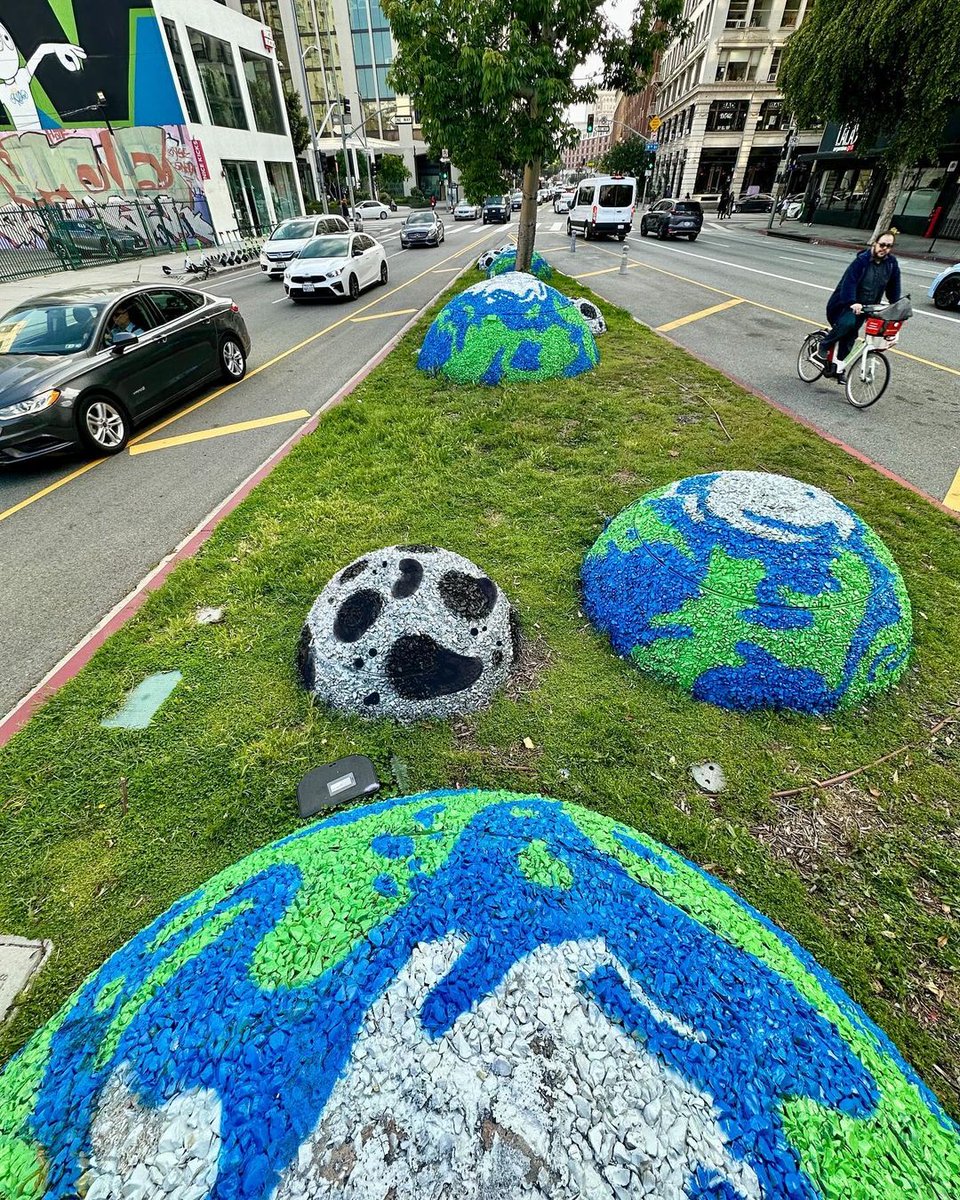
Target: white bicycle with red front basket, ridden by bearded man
866, 370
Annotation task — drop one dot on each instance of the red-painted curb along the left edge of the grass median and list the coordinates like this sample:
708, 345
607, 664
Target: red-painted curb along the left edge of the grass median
81, 655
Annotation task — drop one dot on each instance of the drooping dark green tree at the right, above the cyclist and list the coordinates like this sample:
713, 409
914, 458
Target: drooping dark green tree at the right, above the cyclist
892, 69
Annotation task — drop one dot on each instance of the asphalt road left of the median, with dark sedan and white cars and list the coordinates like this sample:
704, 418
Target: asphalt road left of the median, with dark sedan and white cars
76, 539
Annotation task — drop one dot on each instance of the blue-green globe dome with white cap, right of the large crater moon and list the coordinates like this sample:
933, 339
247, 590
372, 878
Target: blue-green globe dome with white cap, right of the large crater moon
749, 591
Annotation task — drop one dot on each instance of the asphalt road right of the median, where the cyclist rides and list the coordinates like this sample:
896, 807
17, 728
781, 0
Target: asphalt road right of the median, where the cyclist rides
745, 303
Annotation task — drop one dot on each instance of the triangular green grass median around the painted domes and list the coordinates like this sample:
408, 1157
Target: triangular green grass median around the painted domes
103, 829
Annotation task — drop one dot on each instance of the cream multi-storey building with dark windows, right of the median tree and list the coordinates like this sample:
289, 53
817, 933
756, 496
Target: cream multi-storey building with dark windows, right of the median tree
724, 122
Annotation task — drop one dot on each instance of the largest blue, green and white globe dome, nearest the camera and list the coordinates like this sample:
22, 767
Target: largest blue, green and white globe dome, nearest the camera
472, 995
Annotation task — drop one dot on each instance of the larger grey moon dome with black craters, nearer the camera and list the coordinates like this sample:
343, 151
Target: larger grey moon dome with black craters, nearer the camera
409, 632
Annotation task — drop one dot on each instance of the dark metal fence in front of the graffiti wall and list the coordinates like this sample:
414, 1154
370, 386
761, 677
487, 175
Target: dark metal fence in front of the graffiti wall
49, 238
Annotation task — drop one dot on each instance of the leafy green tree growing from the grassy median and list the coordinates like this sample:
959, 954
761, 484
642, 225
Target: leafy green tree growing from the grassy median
493, 82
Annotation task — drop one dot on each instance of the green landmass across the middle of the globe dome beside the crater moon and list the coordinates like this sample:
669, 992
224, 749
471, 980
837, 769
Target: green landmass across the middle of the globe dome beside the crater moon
716, 621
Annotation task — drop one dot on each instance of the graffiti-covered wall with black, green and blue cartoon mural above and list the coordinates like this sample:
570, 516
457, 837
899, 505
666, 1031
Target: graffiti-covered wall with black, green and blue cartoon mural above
89, 117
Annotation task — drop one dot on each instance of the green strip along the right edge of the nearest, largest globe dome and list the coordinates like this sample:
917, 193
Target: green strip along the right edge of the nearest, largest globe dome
903, 1151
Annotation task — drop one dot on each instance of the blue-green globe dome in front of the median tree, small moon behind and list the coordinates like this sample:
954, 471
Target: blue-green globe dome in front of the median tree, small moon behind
511, 328
